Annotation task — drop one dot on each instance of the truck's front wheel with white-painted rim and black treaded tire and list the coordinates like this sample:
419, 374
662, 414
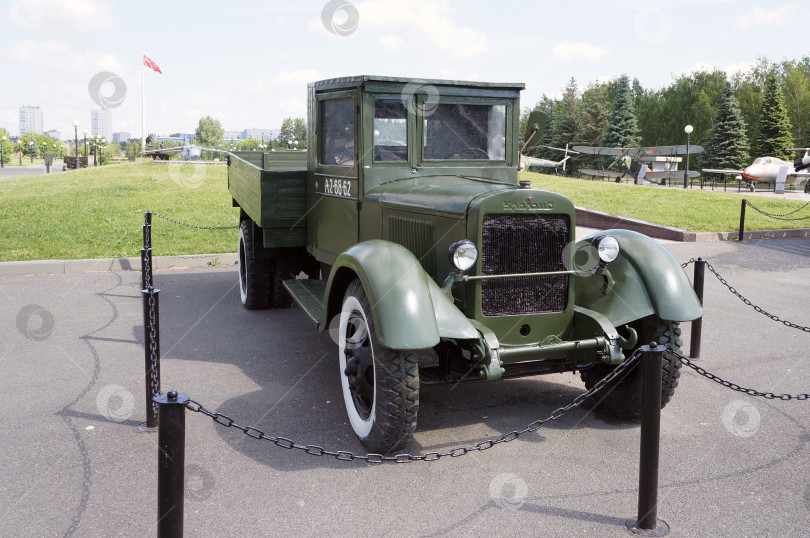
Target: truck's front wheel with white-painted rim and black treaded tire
380, 386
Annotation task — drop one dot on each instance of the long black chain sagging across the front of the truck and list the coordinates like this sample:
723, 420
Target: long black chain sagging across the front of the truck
344, 455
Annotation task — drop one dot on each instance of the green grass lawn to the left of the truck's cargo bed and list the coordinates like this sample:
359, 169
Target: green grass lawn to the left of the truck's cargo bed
98, 212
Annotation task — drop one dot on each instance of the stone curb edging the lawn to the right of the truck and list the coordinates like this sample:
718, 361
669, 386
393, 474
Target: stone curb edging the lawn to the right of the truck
605, 221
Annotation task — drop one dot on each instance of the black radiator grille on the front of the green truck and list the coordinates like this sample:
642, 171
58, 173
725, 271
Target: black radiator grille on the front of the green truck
524, 243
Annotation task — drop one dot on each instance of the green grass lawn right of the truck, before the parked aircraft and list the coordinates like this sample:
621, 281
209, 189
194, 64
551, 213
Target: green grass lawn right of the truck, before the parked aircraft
691, 209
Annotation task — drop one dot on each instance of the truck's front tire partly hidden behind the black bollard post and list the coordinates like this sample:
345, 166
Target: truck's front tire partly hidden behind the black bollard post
622, 397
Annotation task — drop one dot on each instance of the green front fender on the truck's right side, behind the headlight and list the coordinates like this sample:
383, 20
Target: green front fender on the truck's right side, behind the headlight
647, 279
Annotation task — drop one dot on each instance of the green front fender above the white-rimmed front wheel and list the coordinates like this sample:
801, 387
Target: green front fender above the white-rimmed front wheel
410, 311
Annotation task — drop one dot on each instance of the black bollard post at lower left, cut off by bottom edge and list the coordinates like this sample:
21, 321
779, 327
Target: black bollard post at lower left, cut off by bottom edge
171, 463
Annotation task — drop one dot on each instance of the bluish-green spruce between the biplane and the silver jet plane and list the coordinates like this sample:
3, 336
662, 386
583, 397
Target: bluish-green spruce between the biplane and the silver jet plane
727, 143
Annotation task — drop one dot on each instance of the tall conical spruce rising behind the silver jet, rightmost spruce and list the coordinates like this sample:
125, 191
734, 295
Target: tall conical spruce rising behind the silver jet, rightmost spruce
773, 132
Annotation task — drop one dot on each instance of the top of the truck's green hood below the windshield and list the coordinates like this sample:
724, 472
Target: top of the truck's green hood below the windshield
444, 194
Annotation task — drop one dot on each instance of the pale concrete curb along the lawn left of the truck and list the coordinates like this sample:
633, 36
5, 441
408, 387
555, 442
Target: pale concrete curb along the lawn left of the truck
48, 267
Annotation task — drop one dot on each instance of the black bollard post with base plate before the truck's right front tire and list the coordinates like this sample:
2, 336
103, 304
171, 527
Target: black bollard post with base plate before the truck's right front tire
647, 522
